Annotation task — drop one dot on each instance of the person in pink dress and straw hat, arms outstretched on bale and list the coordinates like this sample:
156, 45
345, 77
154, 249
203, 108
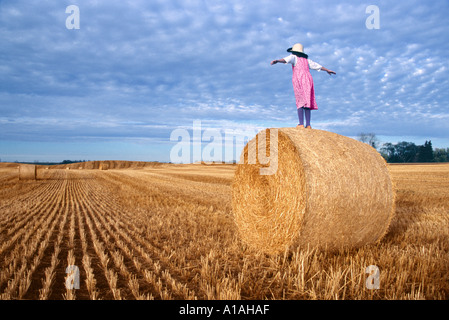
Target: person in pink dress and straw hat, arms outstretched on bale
302, 81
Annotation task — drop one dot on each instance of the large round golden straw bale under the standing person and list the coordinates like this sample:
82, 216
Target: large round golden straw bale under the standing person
326, 190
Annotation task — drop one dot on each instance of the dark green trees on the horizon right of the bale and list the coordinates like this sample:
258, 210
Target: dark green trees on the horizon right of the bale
406, 152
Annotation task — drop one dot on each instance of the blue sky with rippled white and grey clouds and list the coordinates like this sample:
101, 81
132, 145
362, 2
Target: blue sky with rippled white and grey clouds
129, 79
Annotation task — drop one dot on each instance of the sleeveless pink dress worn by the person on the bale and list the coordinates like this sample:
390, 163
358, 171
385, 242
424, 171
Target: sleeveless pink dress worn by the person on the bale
303, 85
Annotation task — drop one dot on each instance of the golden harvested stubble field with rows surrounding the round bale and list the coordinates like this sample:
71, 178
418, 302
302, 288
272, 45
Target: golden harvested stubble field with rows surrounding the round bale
167, 232
